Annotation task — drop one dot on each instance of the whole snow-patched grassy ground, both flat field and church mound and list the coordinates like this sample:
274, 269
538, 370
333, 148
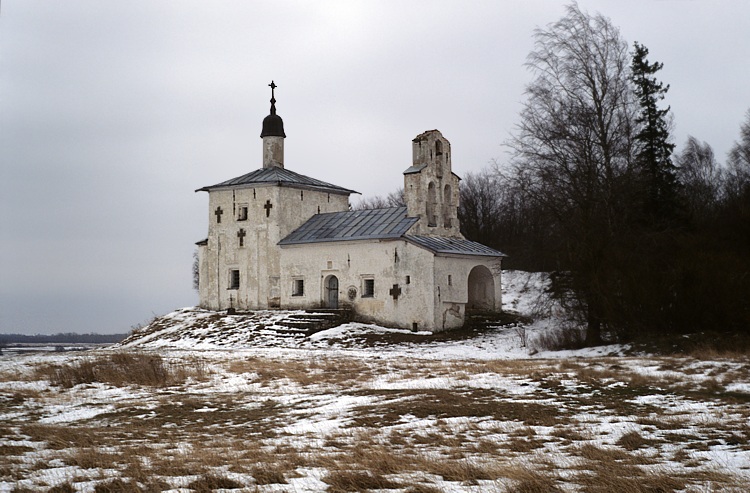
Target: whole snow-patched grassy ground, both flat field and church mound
279, 413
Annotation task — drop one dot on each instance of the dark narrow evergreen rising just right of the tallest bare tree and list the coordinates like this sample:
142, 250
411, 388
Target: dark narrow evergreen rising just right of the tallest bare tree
653, 156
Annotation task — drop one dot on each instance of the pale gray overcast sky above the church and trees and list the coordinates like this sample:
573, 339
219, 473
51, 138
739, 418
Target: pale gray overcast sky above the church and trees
114, 112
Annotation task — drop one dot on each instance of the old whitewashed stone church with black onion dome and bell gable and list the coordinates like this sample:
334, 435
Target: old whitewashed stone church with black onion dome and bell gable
278, 239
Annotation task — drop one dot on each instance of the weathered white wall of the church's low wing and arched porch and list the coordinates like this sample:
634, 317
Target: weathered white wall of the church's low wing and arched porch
434, 290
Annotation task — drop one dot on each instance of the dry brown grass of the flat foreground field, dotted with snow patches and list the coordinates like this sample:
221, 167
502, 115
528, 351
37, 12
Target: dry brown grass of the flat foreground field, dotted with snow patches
552, 414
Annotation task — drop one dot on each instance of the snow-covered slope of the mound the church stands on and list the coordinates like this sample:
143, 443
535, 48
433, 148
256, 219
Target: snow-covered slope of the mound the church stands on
194, 328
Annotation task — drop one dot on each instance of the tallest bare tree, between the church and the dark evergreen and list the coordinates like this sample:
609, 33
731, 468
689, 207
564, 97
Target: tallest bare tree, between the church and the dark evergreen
573, 148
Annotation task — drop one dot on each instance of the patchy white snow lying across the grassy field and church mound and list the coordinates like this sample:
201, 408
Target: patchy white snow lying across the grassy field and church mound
589, 395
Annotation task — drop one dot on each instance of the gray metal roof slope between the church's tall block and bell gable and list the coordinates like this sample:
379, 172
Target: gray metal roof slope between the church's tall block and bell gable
369, 224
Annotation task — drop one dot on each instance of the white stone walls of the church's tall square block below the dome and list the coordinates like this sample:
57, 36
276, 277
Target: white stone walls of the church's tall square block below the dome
272, 213
